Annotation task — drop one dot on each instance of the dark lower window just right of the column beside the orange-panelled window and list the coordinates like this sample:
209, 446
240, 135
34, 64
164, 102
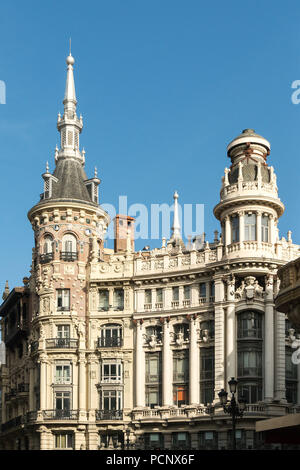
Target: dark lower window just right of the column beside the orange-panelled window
207, 375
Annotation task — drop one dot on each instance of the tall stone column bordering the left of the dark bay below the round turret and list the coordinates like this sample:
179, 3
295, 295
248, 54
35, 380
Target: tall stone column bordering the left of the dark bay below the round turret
230, 332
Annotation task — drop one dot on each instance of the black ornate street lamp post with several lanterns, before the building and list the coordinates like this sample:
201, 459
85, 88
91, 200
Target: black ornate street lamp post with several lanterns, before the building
232, 407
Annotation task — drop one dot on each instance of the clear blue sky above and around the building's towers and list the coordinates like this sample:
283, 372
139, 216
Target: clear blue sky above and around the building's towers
163, 86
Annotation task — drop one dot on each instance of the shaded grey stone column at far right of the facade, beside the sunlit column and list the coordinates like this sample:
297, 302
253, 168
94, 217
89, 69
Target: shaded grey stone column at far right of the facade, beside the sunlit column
280, 356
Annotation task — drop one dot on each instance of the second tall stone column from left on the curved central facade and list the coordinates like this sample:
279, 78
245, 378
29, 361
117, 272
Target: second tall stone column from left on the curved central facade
167, 366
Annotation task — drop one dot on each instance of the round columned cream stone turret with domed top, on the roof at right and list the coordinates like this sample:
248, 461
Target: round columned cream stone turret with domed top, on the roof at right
249, 206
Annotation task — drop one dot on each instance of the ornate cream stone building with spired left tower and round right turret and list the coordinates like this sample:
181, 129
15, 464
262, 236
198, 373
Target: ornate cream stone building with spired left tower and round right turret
113, 348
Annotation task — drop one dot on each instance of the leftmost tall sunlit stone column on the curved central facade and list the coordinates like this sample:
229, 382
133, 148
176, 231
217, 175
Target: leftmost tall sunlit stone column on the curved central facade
140, 366
